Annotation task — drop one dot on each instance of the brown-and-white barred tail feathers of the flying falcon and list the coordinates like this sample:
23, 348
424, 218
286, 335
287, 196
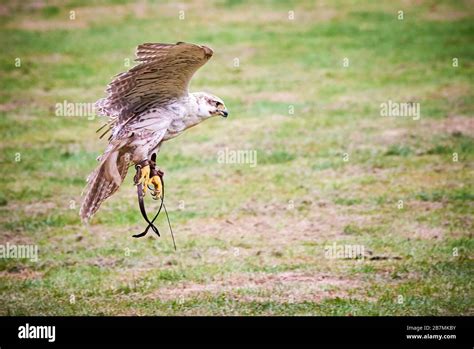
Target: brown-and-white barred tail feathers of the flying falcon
103, 182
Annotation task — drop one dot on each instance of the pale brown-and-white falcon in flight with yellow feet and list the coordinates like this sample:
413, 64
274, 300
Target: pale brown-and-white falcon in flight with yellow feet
146, 106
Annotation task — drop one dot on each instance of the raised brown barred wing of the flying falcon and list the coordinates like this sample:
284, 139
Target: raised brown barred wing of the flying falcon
163, 75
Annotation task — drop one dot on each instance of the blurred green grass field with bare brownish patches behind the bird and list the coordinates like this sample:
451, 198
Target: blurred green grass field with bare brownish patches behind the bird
305, 95
